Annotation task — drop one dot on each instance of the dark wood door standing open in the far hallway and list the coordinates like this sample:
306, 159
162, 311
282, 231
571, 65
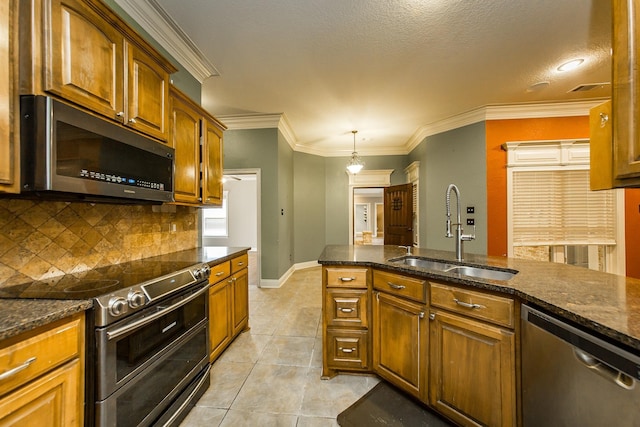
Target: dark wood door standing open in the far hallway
398, 215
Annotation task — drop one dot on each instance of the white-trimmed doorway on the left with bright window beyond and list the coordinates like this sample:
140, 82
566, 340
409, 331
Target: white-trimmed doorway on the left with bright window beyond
237, 222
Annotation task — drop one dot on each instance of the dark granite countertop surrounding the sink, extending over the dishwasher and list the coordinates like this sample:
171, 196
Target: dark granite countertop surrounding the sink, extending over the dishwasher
601, 302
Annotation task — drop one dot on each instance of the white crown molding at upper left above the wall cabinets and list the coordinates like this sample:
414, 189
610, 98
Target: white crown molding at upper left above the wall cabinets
157, 22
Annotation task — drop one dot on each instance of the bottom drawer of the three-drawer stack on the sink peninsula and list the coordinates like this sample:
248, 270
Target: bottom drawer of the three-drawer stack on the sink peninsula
347, 349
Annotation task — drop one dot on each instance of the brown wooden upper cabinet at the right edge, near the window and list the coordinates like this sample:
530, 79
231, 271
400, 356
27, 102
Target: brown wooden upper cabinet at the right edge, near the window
615, 132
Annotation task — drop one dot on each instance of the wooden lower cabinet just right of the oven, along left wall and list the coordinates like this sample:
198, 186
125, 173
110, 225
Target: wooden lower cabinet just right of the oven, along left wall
228, 303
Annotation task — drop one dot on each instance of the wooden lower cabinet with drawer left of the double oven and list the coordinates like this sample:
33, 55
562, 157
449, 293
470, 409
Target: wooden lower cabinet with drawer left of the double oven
44, 375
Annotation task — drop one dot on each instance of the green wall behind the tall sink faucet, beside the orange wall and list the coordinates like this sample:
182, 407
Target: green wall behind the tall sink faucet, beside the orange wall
452, 157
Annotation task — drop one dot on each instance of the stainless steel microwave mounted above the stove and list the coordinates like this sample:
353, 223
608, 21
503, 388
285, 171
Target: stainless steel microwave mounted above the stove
68, 153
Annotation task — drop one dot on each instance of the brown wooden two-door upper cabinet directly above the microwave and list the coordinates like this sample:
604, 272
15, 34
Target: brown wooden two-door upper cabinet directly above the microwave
79, 50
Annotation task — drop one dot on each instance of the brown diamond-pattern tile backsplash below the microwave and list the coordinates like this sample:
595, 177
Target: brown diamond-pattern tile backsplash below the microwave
43, 239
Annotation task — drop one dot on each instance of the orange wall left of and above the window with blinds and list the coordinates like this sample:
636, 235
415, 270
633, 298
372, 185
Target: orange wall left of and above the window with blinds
497, 133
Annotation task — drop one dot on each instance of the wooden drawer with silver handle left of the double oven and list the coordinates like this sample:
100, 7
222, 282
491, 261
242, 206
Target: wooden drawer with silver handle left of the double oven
39, 351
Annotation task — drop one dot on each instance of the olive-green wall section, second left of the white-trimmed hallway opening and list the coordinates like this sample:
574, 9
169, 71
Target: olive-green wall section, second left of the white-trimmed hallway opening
309, 206
